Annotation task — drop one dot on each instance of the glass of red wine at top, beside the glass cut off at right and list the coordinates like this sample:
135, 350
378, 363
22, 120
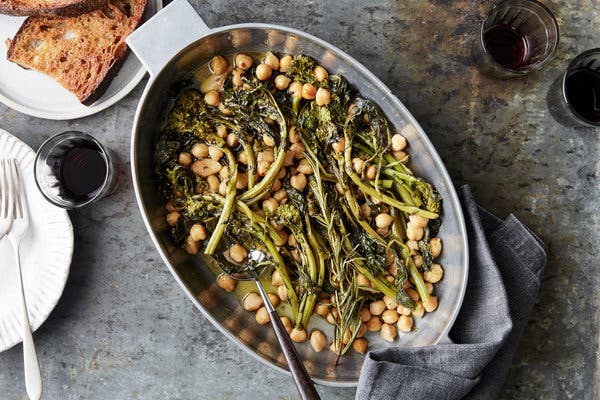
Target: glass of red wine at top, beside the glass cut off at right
517, 37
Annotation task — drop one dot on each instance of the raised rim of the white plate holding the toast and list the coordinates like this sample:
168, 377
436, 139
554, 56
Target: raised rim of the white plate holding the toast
100, 105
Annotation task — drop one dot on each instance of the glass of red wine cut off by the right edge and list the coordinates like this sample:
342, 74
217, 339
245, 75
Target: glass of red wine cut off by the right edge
574, 98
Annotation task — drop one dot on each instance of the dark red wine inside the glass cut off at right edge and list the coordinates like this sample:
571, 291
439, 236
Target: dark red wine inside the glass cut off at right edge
582, 89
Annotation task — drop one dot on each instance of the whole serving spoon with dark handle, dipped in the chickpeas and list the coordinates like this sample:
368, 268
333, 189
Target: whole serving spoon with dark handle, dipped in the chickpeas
304, 384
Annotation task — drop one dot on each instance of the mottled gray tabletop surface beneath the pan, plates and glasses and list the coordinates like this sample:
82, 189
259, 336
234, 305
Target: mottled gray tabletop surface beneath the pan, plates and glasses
123, 328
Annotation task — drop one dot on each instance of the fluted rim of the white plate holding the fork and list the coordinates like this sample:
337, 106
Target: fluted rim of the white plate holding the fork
50, 302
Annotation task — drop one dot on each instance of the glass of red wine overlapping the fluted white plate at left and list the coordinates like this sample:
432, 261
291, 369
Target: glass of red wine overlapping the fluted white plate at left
72, 170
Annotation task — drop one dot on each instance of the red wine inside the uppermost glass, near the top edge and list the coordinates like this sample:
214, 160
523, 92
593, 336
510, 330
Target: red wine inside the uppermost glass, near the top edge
507, 46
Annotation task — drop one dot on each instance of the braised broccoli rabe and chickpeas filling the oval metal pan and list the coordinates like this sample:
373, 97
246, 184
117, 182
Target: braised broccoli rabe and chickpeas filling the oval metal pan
278, 155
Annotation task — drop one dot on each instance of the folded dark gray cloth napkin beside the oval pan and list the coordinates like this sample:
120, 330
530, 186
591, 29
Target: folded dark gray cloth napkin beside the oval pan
506, 264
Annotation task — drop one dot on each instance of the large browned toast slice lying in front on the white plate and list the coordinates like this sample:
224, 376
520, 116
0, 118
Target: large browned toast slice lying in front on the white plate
81, 53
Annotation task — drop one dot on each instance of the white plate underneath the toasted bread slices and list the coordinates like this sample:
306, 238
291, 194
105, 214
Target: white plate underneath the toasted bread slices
36, 94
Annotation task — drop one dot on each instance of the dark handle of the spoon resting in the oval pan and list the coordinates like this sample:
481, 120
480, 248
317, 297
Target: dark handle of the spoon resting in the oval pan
304, 384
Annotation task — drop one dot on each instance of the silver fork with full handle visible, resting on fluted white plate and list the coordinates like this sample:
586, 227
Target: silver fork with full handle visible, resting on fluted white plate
20, 226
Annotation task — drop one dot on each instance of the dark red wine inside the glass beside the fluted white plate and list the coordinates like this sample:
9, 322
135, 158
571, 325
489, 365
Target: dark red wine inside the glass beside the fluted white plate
82, 171
